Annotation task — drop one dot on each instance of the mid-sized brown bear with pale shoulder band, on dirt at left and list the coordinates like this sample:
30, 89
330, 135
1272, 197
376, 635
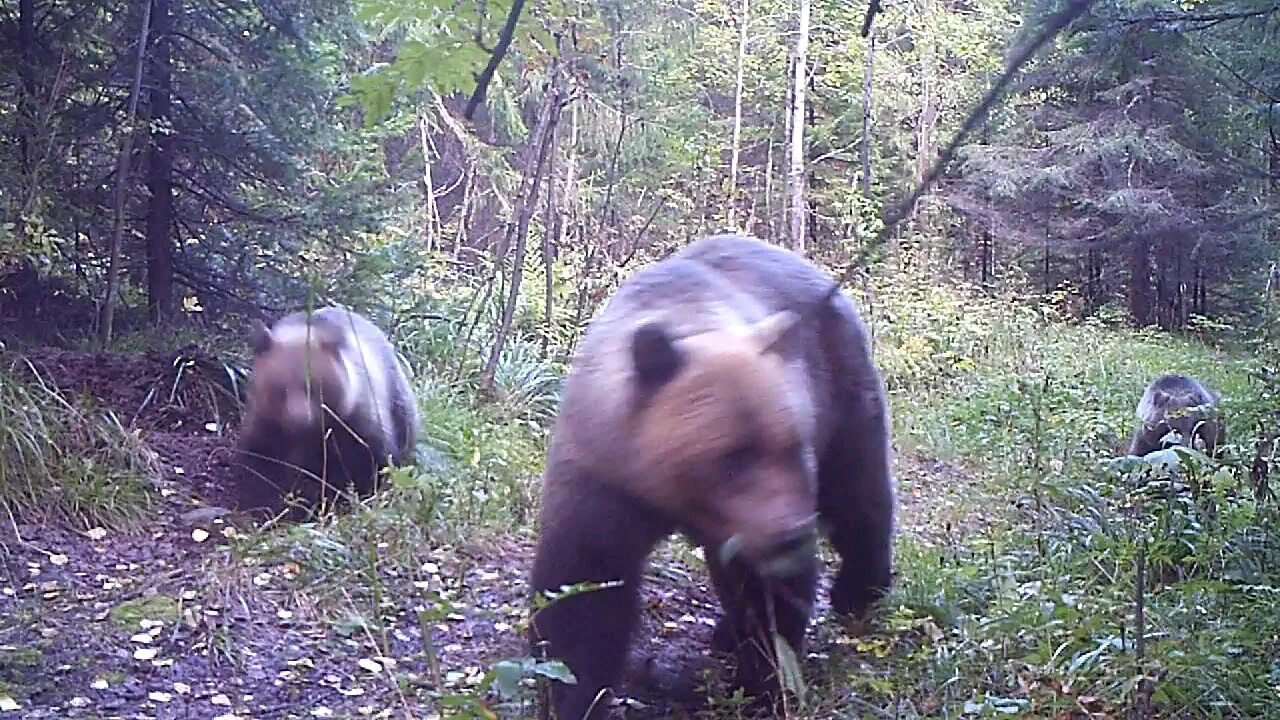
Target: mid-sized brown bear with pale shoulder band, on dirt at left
330, 407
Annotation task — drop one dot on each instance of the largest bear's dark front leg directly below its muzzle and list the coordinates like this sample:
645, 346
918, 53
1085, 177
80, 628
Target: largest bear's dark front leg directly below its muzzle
749, 605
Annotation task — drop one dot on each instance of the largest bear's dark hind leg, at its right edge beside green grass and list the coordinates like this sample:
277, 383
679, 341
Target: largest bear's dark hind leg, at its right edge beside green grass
856, 499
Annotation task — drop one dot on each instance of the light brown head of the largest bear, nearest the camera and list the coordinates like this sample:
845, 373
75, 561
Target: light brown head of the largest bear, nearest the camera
723, 435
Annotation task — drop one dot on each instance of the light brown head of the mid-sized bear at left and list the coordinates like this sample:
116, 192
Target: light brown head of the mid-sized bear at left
298, 372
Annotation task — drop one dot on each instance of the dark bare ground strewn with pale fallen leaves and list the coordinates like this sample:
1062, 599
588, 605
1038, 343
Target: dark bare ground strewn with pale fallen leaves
181, 617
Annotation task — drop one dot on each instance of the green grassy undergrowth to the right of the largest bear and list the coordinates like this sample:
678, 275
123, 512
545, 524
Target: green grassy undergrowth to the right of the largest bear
1041, 619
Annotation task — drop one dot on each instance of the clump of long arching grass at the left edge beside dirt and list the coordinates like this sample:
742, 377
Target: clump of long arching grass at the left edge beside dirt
61, 461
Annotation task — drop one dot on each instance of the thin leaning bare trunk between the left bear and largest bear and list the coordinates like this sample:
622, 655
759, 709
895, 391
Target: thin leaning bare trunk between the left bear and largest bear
534, 161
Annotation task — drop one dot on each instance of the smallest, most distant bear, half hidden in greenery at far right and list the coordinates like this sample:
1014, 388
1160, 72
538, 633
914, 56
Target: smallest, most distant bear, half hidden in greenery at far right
1182, 404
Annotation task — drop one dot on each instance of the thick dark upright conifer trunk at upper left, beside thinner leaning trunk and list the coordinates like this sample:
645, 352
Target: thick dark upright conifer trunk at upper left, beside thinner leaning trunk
161, 170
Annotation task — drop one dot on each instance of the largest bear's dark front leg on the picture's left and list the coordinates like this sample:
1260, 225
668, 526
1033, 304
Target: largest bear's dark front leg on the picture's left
591, 534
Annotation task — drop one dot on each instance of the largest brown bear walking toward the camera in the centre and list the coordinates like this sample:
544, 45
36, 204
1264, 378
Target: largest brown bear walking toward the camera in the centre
702, 402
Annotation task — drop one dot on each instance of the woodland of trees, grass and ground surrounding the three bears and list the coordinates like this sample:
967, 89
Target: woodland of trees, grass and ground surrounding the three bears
479, 179
